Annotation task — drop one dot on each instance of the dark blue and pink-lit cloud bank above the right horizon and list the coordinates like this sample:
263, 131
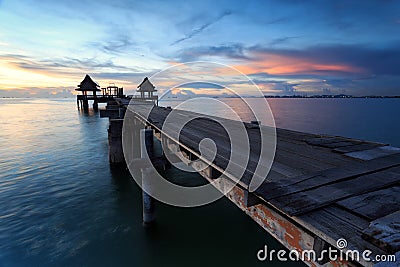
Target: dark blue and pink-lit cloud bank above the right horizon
335, 68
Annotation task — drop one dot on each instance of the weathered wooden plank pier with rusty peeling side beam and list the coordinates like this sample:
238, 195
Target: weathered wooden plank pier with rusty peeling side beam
320, 188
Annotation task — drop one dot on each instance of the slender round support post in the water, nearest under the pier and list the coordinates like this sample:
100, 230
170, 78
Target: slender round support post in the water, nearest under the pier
146, 146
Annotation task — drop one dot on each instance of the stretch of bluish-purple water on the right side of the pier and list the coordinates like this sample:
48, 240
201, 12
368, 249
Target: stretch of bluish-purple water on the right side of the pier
364, 118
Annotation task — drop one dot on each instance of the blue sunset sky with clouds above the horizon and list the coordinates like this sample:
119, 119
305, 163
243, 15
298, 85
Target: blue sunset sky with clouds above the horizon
285, 47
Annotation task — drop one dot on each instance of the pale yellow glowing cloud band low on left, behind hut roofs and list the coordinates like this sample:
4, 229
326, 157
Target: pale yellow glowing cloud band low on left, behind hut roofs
19, 72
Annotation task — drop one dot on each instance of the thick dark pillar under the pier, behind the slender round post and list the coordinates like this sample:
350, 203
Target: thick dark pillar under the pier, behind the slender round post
115, 152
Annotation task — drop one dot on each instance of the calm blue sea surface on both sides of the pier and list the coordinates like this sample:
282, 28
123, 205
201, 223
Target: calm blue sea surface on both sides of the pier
62, 205
